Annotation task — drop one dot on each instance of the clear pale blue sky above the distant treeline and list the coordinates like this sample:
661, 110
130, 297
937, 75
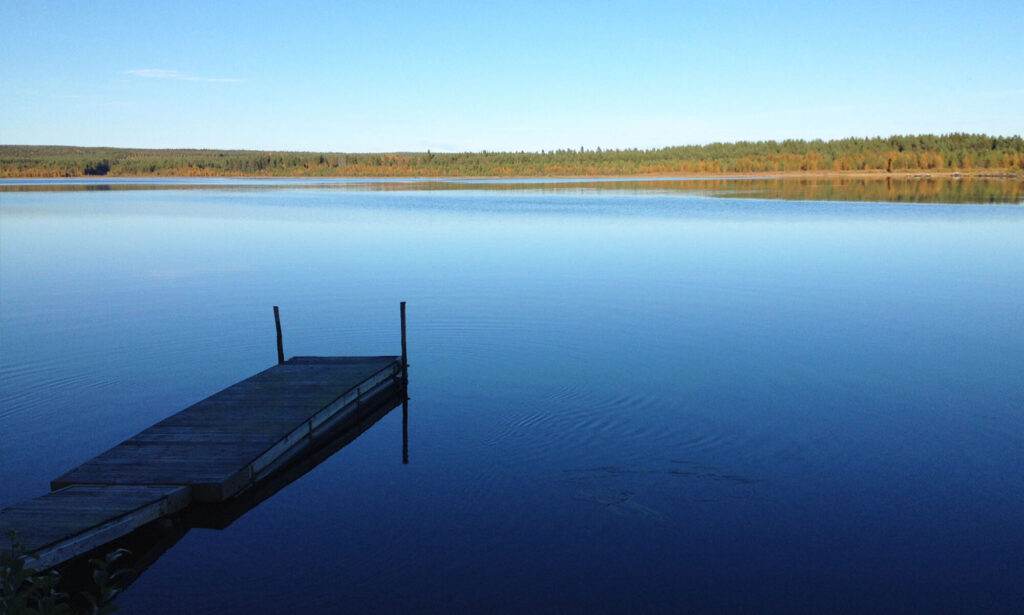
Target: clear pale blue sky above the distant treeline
503, 76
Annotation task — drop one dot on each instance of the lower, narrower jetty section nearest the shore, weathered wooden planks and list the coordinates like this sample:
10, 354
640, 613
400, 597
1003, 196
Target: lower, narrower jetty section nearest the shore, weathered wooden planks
72, 521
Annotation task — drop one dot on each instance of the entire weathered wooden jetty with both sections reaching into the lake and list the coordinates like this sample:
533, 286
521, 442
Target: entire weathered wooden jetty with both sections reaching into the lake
207, 454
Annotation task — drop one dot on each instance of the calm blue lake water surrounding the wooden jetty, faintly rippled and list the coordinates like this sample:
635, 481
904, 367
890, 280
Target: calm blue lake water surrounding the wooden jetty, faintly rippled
626, 397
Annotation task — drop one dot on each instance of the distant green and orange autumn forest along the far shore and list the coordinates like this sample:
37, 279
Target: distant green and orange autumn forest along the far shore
964, 153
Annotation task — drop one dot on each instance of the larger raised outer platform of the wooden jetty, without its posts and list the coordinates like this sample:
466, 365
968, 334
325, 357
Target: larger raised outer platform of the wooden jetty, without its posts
226, 443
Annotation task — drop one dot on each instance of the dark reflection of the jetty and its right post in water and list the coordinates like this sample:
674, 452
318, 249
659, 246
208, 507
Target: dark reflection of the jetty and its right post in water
153, 541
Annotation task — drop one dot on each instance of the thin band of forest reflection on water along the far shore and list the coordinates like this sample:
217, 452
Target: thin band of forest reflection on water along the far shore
895, 189
